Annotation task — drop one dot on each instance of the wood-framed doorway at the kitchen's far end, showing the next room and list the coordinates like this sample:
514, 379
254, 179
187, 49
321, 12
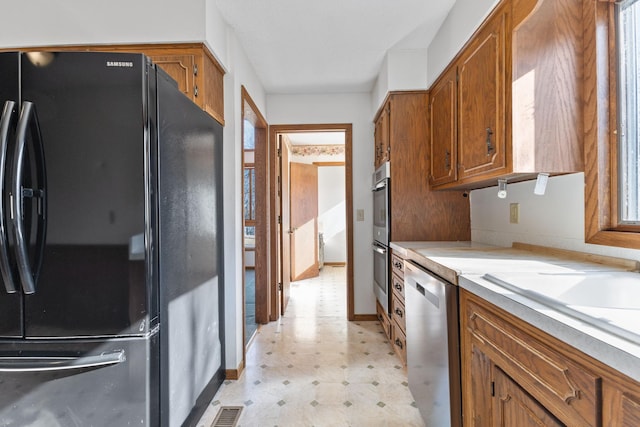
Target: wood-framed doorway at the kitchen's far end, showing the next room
289, 145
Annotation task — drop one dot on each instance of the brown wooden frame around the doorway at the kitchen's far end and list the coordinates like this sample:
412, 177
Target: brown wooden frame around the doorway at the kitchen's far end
274, 131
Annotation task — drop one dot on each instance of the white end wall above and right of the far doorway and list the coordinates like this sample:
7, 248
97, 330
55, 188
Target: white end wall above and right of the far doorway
354, 108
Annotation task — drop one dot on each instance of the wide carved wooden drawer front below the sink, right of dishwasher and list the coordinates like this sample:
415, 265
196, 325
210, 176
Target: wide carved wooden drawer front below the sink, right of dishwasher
565, 388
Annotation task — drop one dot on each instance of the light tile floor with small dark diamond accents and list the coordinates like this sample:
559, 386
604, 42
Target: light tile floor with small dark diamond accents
315, 368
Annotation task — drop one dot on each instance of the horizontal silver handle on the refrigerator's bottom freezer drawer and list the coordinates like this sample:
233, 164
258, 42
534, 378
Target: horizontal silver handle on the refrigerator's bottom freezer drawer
42, 364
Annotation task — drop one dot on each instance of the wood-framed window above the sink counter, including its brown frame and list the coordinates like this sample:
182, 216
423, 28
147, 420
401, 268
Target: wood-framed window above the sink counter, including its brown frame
611, 93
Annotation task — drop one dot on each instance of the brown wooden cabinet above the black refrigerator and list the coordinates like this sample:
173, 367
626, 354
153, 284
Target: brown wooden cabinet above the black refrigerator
197, 73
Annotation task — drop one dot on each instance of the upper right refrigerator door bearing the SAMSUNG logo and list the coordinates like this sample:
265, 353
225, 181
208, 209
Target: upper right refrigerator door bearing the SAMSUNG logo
93, 111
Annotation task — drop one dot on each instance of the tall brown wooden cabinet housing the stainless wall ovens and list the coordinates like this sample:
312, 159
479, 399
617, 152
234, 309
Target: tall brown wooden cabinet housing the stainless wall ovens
417, 213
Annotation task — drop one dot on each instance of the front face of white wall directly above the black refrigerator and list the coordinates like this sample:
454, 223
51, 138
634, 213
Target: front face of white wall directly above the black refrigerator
44, 22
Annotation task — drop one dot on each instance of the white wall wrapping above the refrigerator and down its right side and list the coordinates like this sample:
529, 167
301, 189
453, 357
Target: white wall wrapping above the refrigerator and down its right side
42, 22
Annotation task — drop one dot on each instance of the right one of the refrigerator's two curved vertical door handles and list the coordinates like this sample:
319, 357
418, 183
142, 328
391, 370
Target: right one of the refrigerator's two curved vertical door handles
27, 276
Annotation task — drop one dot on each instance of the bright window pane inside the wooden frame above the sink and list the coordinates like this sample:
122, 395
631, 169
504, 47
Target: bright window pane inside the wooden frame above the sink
628, 78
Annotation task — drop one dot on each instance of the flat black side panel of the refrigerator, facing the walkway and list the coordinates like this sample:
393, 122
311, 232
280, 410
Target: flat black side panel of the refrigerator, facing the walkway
191, 277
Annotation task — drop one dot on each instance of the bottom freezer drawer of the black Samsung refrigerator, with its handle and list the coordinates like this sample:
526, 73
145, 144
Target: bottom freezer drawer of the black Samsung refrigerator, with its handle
117, 386
